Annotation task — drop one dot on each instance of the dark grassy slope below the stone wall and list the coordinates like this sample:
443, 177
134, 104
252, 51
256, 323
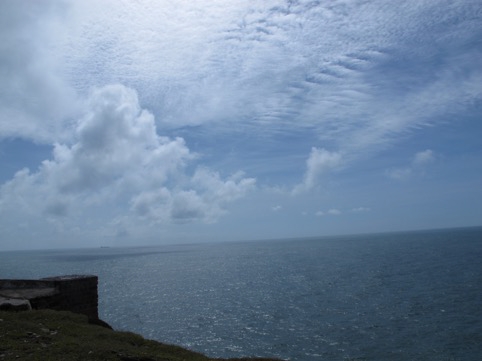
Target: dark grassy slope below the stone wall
53, 336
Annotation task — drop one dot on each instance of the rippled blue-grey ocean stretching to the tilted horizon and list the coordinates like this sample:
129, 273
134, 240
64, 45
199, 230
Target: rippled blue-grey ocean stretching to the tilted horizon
393, 296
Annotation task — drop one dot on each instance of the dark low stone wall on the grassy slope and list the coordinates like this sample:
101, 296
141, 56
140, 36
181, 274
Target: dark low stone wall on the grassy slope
67, 293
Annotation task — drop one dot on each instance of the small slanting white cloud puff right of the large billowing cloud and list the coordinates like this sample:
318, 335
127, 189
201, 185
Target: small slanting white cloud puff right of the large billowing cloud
319, 162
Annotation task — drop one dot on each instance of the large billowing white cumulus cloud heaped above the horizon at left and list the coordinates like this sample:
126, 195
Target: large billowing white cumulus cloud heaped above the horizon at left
118, 164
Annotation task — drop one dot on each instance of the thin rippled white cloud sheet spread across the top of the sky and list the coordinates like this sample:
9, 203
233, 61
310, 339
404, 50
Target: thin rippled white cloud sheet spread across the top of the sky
369, 78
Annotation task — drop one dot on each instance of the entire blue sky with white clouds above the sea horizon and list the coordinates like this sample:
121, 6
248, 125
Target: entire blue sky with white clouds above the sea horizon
127, 123
